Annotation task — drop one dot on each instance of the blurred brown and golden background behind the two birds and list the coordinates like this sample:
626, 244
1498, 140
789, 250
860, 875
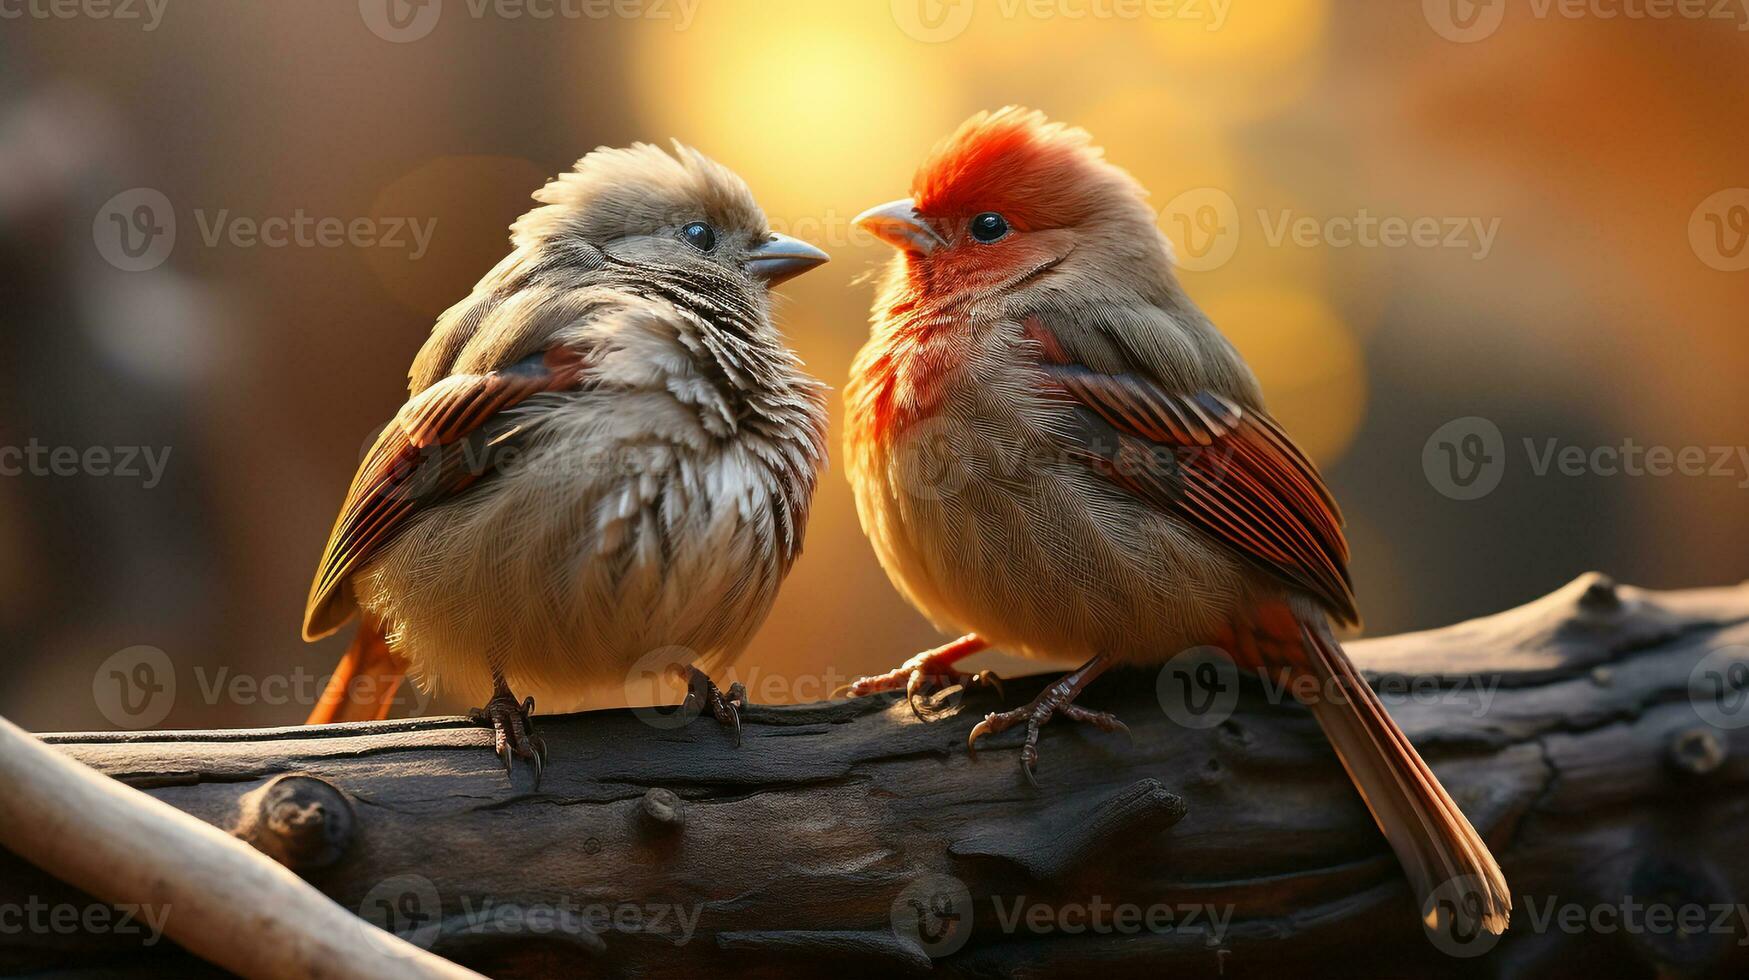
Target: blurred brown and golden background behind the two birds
1404, 214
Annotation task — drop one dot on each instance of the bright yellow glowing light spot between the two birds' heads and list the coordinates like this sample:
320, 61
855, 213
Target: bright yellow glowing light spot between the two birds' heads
823, 108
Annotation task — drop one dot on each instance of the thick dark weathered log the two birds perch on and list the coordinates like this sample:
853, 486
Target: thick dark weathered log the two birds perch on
1606, 769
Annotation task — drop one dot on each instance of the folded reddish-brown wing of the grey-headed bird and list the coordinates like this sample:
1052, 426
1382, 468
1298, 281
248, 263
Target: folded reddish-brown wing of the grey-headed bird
440, 444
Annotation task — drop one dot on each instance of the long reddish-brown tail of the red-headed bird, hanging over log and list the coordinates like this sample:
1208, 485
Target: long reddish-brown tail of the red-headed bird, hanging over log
1458, 883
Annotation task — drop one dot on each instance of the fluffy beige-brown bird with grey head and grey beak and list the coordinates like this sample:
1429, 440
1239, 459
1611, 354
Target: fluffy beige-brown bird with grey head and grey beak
608, 451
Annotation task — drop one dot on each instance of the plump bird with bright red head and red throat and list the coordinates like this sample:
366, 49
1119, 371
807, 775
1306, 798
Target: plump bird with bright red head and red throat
1056, 452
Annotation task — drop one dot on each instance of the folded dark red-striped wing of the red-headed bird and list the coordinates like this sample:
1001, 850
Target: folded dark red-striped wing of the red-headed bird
1227, 470
